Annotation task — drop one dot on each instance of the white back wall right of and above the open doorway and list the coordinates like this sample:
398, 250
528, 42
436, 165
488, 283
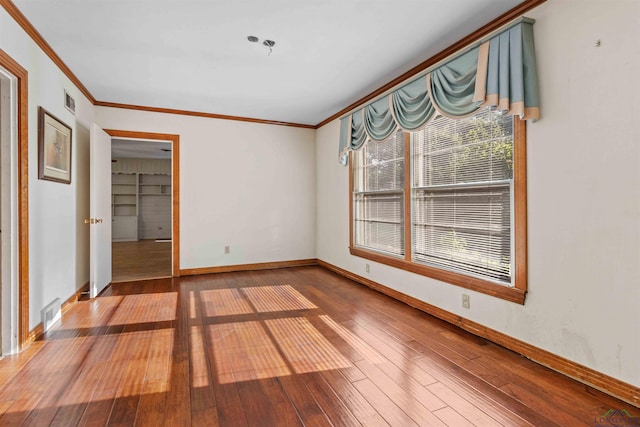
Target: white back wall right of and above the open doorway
244, 185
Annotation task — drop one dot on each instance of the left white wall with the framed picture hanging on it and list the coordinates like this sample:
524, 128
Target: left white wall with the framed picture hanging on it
58, 240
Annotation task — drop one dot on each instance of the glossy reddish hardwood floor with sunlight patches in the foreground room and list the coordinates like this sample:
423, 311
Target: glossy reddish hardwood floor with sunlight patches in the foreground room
298, 346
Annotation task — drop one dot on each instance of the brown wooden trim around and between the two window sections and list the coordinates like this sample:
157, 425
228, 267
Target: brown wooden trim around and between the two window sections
514, 293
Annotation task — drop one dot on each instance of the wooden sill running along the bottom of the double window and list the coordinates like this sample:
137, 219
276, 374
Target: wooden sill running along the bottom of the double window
508, 293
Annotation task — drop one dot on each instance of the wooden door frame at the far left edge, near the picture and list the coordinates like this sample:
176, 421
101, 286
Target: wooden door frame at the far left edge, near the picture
21, 76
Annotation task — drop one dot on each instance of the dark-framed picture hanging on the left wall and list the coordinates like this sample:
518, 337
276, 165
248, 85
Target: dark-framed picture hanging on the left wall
54, 148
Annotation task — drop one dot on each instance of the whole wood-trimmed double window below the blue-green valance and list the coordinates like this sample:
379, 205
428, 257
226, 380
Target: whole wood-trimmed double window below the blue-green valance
447, 201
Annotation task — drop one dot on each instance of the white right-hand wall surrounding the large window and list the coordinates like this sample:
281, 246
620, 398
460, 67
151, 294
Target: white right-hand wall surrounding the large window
583, 198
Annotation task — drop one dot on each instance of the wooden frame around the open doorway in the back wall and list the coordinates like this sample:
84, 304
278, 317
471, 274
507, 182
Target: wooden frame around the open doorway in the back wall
175, 185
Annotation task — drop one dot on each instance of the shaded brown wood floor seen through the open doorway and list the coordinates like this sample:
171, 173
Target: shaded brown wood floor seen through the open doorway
144, 259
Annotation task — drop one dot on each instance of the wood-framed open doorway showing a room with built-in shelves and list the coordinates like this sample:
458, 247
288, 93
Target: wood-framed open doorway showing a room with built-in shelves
144, 206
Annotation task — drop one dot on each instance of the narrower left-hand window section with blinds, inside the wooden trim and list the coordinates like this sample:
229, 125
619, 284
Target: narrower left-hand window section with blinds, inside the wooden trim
378, 207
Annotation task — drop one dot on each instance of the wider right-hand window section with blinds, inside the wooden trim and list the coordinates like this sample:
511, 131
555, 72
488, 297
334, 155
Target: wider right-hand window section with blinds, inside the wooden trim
462, 195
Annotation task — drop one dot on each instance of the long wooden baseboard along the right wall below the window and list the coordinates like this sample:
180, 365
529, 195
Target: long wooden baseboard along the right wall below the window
587, 376
